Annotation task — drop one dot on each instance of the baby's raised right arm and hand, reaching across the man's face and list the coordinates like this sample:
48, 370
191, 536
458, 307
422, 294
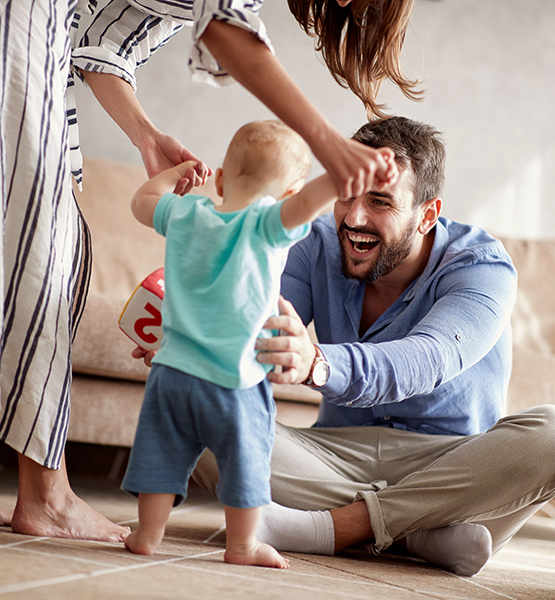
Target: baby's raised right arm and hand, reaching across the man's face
317, 195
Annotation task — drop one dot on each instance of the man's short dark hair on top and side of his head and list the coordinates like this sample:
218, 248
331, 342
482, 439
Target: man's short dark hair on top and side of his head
416, 145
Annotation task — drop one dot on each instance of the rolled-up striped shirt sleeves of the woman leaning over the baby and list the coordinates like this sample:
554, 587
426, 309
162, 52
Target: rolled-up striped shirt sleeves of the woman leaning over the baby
125, 33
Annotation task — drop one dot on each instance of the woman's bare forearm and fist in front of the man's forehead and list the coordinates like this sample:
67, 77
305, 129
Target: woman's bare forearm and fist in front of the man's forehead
352, 166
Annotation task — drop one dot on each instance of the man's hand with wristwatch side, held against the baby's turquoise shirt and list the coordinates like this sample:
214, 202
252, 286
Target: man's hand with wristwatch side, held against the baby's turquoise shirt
293, 350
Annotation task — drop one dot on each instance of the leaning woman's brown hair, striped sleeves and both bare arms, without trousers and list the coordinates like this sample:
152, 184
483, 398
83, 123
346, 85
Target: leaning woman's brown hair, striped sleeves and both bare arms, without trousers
360, 42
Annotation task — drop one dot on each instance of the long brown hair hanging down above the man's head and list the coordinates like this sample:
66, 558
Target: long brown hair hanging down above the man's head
361, 44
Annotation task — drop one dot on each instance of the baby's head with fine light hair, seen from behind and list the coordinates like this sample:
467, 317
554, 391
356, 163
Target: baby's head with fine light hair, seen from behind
269, 156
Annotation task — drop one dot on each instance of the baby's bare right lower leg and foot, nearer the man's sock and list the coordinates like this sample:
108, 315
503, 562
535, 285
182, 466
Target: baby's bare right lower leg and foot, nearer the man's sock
242, 546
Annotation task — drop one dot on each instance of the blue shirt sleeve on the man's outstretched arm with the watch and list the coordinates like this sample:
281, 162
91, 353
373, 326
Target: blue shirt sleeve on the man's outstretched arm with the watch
467, 319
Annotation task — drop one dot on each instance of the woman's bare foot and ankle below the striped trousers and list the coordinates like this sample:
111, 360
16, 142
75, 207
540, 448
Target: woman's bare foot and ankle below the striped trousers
48, 507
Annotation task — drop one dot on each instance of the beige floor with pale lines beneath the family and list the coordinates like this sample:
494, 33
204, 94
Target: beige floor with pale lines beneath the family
189, 563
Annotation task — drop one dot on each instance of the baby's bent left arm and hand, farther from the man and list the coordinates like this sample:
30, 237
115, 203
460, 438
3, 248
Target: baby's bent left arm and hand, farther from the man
146, 197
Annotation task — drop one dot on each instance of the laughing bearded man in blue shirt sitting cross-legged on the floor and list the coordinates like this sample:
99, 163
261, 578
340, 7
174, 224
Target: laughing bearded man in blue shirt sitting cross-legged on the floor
412, 313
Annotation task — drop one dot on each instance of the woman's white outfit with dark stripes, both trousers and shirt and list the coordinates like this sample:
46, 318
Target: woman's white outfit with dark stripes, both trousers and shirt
46, 254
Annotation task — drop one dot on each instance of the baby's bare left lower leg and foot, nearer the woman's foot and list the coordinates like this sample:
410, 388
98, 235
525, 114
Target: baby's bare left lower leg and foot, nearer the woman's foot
154, 511
